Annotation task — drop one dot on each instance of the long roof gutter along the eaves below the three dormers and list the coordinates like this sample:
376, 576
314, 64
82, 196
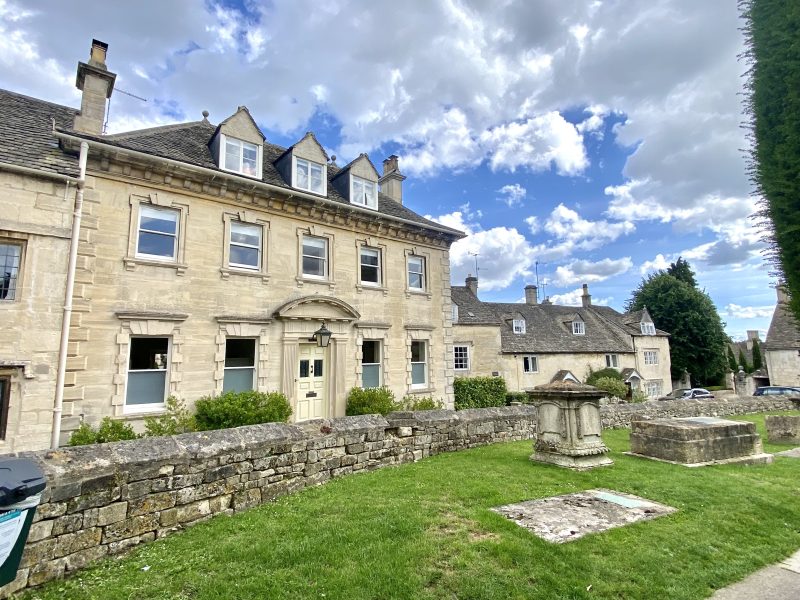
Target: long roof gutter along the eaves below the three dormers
251, 182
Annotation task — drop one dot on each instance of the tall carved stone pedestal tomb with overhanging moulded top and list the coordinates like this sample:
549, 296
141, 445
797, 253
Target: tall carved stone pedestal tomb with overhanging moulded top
568, 426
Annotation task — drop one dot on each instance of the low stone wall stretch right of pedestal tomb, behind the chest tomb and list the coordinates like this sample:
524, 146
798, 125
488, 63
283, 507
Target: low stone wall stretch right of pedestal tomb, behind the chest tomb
620, 415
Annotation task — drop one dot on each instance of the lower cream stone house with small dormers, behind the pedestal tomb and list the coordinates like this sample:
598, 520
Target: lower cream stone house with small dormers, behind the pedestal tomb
532, 343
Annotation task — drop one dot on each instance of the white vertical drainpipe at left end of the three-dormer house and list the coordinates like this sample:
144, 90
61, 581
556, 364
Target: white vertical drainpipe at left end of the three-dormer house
65, 323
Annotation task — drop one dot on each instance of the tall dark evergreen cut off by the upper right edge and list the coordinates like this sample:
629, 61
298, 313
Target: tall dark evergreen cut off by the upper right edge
773, 105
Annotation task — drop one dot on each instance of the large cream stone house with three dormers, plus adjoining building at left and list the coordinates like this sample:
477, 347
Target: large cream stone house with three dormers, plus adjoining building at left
207, 259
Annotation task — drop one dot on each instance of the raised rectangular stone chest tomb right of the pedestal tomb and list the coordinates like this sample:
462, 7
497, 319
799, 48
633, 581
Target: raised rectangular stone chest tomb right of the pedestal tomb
697, 441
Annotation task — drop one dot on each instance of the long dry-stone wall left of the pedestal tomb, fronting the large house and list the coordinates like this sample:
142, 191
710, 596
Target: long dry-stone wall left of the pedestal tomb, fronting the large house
104, 499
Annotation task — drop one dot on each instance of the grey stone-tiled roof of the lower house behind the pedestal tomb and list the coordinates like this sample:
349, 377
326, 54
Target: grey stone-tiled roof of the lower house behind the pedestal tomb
548, 326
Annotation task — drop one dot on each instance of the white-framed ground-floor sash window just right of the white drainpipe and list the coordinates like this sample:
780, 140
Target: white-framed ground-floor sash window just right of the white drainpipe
148, 365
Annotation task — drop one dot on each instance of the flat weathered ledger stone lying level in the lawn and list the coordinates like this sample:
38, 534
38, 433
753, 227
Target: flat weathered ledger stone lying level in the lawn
561, 519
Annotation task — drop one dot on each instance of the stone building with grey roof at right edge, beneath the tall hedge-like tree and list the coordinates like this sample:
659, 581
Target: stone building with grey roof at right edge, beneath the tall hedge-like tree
782, 346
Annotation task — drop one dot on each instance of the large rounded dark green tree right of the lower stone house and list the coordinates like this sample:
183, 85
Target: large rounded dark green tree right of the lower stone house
698, 340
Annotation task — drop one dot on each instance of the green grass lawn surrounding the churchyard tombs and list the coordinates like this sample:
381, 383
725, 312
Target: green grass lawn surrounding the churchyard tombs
424, 531
